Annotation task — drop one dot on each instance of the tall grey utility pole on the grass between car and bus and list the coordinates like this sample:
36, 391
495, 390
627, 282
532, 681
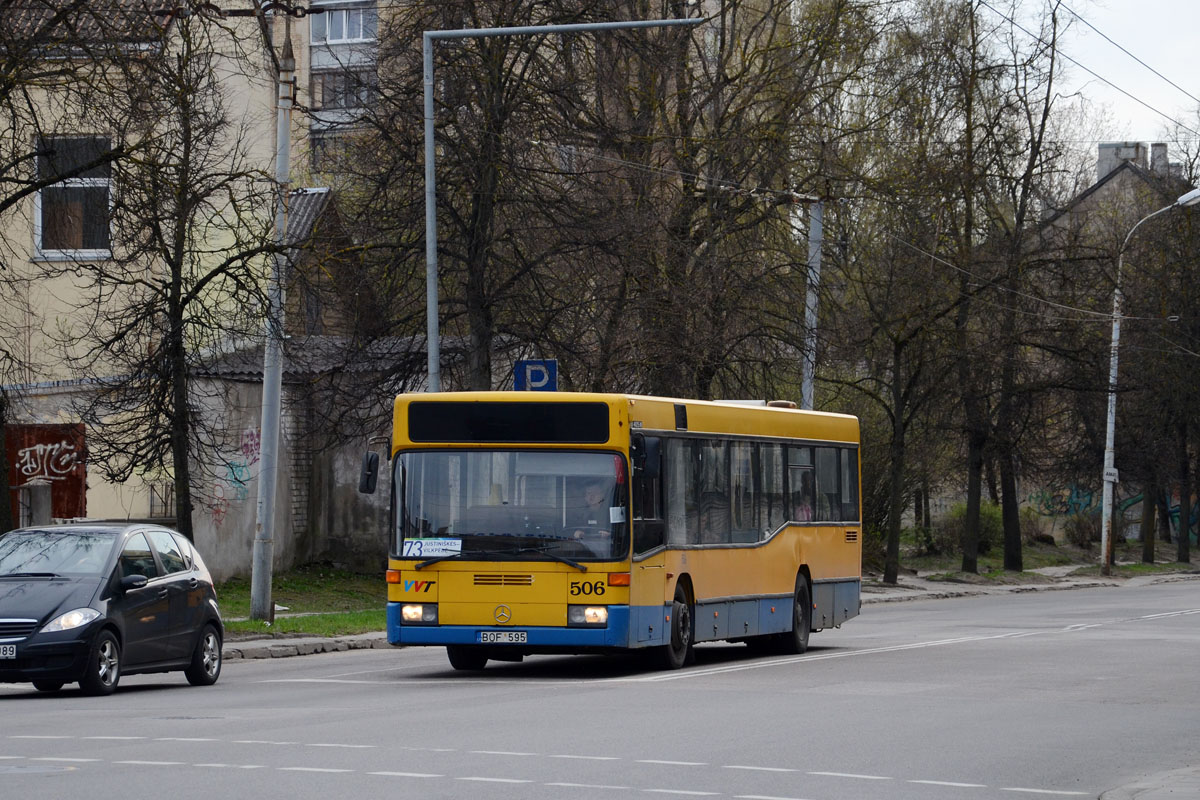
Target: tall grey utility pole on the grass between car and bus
261, 605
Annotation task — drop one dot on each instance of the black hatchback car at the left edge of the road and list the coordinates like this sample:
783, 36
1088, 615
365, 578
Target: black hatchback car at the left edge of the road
92, 601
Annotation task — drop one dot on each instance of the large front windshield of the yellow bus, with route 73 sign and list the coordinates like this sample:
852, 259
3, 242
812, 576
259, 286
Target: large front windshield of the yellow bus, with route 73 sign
512, 506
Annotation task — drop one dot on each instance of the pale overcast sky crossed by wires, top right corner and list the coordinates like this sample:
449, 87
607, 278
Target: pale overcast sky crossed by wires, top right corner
1166, 35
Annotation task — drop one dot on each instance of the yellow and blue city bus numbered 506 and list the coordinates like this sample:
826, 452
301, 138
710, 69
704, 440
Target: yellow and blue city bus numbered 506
717, 521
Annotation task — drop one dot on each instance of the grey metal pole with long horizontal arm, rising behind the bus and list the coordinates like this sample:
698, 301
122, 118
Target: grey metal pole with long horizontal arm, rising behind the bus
434, 347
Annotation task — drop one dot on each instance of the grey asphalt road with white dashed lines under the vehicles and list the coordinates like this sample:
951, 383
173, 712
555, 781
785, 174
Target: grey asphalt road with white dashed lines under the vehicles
1057, 694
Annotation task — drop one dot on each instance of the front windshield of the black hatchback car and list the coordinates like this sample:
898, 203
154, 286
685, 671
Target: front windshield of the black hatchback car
55, 552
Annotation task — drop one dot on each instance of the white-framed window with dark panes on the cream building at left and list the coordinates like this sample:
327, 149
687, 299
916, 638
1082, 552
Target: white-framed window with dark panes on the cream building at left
73, 216
